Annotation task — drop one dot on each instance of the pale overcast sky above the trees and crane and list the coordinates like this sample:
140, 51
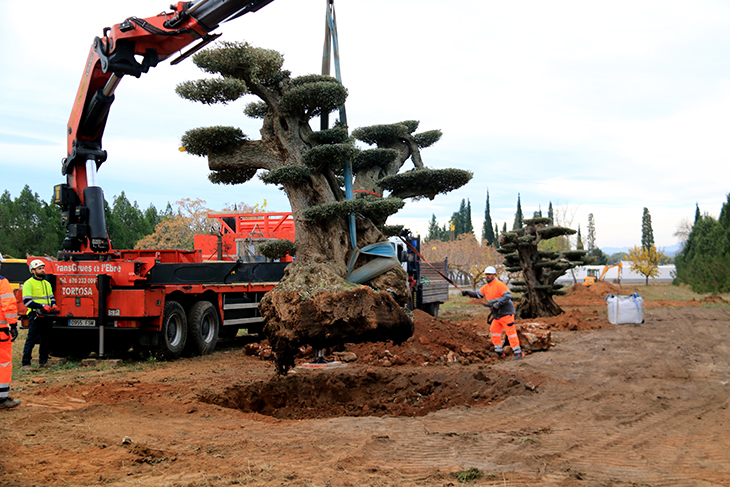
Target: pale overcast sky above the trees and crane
597, 107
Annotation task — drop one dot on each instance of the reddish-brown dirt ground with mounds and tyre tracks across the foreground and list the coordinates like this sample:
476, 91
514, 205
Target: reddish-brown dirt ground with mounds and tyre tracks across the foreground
627, 405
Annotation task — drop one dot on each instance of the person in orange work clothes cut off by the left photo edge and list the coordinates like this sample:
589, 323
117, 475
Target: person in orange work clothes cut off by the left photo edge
8, 334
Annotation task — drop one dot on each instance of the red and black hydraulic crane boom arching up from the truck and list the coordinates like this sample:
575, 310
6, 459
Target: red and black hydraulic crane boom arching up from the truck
128, 48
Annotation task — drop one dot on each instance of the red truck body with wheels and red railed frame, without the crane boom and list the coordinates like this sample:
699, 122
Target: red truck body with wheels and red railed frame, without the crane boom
153, 298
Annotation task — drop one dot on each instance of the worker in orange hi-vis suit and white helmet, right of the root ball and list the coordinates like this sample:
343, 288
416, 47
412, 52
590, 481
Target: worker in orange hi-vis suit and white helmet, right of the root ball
499, 299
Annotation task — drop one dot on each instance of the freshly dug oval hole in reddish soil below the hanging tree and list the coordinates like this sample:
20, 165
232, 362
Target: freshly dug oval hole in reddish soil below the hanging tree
372, 392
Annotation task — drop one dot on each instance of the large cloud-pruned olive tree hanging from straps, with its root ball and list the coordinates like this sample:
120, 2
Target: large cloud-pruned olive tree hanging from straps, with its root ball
315, 303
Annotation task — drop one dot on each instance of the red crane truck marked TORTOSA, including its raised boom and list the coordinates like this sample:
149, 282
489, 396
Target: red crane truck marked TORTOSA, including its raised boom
168, 300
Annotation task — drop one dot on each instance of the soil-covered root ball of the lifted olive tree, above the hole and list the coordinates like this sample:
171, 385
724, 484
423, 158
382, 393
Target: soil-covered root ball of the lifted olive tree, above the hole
313, 305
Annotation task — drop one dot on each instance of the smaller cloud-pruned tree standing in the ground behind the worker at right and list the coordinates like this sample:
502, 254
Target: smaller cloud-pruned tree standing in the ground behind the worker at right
540, 269
